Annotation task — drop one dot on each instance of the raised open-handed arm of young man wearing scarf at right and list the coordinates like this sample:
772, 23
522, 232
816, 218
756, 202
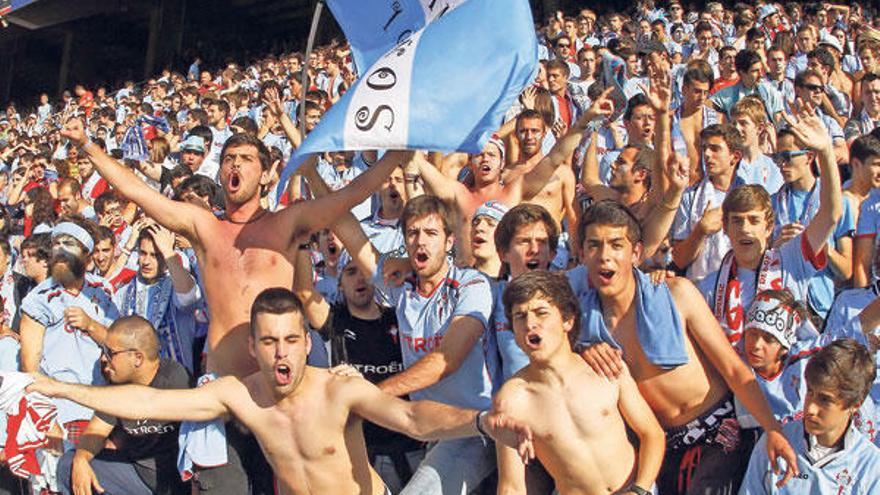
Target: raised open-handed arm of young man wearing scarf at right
809, 129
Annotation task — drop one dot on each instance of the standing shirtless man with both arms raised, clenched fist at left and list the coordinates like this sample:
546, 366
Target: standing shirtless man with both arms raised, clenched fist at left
250, 248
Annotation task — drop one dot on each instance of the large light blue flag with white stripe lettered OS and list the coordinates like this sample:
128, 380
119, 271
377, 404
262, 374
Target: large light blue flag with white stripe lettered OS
445, 88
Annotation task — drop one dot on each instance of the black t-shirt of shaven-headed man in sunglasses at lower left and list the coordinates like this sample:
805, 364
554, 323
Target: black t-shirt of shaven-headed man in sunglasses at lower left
152, 445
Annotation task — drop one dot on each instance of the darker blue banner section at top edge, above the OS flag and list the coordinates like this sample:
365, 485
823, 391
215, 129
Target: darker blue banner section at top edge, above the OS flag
372, 27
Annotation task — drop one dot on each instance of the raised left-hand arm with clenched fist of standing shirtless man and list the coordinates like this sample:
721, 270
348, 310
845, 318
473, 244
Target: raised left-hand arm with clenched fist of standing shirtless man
176, 215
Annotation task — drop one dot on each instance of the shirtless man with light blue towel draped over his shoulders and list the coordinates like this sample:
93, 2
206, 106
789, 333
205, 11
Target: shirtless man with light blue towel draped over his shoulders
684, 366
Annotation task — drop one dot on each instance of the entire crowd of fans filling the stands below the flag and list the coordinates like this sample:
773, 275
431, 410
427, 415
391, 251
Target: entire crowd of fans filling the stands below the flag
671, 284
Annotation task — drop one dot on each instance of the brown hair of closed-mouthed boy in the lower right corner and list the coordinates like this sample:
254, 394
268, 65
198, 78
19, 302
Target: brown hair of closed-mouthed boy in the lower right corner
844, 366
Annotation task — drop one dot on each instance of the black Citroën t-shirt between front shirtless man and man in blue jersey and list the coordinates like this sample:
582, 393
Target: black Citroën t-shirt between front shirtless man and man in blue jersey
372, 347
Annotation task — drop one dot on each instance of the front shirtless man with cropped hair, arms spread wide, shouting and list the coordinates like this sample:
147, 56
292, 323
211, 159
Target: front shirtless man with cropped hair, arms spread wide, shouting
307, 420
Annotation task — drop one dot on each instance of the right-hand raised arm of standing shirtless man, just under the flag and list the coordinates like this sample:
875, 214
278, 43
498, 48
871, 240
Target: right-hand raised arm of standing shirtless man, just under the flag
306, 217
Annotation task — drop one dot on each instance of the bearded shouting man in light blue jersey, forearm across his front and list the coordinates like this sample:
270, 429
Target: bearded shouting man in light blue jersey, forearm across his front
442, 313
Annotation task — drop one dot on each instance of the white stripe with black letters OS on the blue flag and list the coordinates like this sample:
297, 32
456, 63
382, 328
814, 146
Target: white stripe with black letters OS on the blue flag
380, 105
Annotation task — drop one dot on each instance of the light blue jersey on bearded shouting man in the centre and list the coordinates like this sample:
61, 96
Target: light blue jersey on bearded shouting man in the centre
423, 321
